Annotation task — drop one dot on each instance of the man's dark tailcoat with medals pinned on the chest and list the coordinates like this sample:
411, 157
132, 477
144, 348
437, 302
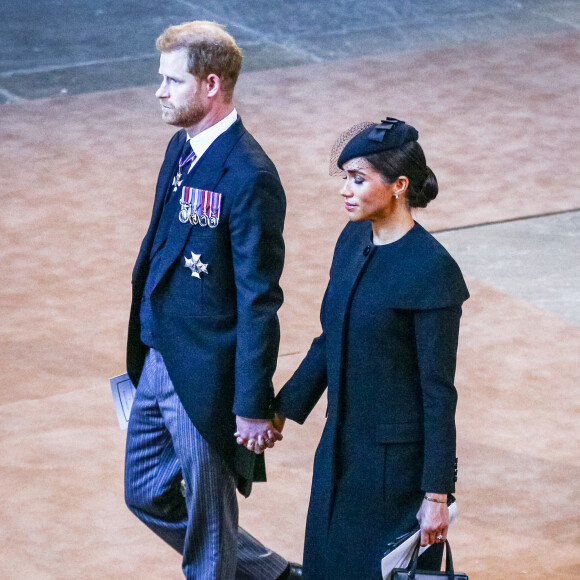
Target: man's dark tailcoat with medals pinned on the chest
218, 334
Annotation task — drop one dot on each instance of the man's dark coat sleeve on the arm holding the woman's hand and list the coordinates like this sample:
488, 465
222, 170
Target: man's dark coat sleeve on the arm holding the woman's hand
256, 225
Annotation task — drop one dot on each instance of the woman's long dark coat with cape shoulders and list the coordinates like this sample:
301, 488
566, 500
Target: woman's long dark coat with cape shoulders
390, 323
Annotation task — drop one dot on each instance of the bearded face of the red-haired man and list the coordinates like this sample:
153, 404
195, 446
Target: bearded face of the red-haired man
182, 96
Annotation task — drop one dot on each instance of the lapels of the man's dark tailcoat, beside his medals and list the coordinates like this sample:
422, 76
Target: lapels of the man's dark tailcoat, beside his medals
206, 174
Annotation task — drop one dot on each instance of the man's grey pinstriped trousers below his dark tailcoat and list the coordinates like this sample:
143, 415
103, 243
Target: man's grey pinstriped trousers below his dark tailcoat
164, 447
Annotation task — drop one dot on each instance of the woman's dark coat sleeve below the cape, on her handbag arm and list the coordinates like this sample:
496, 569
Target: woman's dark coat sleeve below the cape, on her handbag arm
437, 333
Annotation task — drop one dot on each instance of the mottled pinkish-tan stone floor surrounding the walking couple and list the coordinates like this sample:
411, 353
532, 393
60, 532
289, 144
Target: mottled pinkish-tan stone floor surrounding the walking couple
499, 123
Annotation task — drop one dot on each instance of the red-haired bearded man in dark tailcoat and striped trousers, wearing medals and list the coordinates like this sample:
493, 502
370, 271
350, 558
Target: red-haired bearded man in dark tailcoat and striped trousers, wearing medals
203, 331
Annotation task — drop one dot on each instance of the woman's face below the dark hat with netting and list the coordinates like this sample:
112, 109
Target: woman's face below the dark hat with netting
366, 195
